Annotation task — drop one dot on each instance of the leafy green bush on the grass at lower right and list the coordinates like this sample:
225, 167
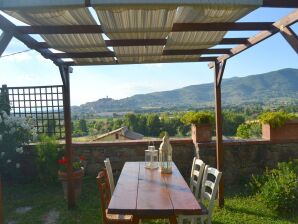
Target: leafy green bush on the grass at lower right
278, 188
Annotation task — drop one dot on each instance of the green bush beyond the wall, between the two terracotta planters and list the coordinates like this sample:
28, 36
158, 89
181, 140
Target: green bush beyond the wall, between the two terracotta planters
249, 130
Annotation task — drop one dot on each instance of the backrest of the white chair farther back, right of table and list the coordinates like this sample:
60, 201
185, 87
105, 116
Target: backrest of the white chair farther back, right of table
196, 175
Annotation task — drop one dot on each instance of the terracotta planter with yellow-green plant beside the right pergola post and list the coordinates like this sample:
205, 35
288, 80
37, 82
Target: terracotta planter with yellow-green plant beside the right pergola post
200, 122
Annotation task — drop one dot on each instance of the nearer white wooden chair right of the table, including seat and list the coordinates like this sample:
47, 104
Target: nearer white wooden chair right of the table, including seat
208, 192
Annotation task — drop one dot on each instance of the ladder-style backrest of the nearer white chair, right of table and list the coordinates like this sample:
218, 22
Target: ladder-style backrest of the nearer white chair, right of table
210, 183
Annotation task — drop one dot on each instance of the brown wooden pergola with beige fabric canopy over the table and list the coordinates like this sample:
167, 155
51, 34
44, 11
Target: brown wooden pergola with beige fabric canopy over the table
140, 31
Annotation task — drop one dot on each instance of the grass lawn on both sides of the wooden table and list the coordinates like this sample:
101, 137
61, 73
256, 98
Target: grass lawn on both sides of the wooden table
35, 203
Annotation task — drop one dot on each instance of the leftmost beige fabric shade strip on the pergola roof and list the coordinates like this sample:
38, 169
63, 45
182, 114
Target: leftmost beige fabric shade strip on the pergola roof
64, 42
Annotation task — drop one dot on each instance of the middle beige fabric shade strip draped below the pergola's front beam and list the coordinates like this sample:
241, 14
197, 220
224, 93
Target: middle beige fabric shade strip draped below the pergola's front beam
136, 23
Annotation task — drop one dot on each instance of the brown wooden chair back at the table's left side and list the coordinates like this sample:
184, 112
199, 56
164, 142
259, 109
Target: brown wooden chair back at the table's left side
104, 190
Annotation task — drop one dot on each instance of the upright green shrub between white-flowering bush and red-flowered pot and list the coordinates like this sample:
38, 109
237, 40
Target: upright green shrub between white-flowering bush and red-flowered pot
48, 152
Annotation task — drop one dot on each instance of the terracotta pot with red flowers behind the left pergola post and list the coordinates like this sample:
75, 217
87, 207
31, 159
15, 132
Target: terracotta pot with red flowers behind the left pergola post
77, 175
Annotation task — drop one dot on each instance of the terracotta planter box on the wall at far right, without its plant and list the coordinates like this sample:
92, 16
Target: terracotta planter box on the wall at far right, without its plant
289, 131
